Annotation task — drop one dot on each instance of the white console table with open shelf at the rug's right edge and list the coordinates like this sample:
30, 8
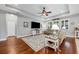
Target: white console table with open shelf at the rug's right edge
52, 42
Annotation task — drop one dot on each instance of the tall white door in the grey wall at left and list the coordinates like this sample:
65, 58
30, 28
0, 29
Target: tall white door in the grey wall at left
11, 24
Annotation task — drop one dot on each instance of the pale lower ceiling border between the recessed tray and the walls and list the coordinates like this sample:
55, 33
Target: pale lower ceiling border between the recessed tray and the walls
23, 13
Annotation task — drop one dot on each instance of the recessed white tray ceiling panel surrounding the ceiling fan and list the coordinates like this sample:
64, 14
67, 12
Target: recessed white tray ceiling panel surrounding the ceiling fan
35, 9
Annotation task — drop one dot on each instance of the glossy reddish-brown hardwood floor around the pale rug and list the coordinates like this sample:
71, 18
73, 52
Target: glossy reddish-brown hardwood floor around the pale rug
17, 46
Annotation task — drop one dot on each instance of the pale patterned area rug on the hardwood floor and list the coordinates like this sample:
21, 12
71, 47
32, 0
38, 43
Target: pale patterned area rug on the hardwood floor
36, 42
